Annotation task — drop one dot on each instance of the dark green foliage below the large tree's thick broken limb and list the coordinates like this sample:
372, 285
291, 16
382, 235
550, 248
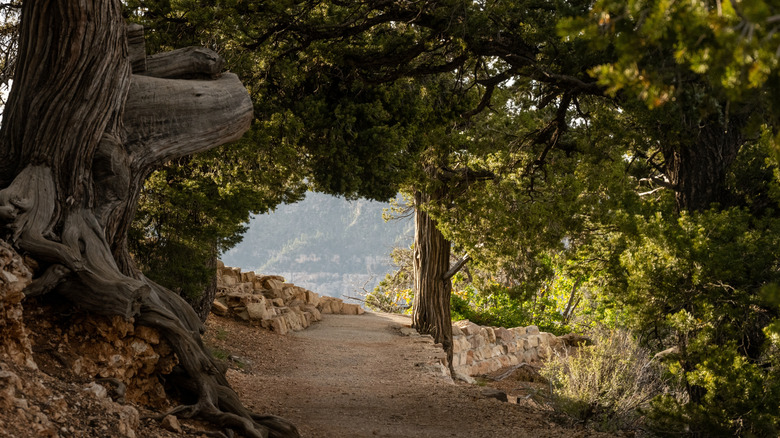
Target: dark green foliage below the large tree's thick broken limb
191, 212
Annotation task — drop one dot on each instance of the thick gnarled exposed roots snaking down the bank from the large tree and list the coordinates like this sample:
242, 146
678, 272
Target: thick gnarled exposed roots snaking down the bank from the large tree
81, 267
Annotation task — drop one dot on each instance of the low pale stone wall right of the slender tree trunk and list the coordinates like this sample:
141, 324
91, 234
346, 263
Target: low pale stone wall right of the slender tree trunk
479, 350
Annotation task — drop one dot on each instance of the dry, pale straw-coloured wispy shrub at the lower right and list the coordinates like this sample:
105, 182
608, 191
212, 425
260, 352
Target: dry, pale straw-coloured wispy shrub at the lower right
606, 385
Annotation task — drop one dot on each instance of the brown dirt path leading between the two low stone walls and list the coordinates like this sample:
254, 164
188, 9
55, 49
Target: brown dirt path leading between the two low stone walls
358, 376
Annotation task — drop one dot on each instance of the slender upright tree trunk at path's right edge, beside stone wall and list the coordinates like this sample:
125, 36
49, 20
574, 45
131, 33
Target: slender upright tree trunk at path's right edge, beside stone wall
431, 312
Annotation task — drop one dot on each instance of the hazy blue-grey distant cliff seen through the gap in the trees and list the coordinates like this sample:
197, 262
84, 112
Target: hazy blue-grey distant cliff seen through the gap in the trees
323, 243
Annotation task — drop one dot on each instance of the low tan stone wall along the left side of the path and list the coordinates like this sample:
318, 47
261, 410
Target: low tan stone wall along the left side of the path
270, 302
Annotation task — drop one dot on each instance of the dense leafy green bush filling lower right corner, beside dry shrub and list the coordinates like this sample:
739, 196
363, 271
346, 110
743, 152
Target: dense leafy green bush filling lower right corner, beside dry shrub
695, 282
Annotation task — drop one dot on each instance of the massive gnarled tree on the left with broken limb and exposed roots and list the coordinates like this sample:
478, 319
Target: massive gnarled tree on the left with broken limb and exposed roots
87, 119
